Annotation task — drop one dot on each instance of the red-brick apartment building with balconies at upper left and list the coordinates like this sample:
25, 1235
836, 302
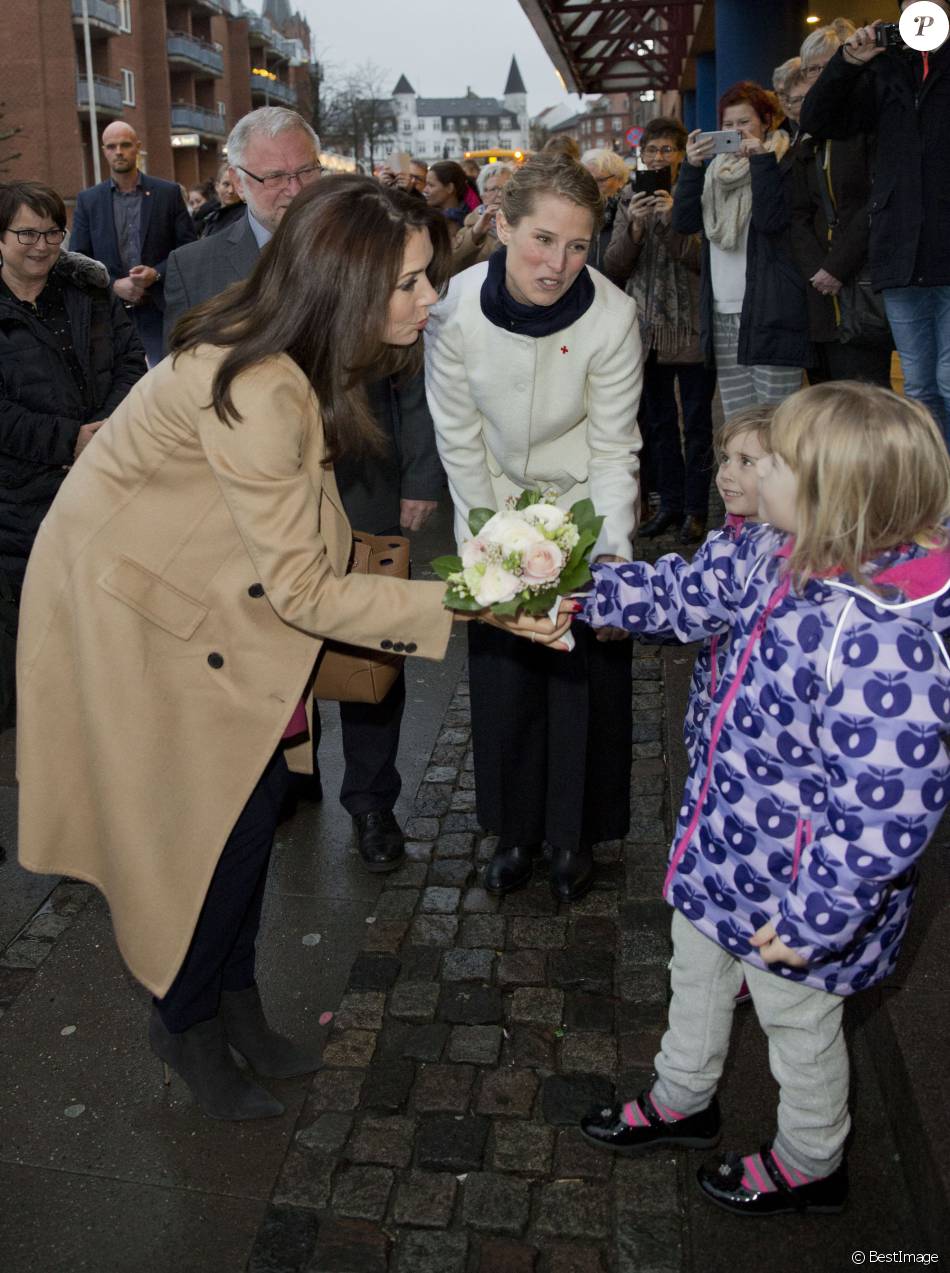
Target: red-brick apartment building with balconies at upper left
180, 72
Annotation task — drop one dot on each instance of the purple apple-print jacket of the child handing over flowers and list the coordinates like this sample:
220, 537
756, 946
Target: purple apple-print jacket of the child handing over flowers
821, 771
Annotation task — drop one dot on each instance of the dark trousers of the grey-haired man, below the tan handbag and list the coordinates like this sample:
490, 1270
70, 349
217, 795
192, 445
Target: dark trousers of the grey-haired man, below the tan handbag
371, 782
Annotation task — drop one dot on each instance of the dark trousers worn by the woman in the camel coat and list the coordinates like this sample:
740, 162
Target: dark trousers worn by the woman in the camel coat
222, 953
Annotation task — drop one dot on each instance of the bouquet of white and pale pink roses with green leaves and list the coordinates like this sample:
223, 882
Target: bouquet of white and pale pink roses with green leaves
521, 558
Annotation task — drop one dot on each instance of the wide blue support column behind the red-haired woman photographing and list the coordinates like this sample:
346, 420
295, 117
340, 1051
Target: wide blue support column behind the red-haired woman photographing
753, 39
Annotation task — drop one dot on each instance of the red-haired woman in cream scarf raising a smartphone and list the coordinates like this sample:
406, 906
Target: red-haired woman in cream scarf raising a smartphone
755, 318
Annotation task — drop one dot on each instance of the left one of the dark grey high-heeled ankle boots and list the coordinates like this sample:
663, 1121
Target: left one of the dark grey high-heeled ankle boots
202, 1057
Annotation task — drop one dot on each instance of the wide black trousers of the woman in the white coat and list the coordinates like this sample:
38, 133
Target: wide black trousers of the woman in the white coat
552, 738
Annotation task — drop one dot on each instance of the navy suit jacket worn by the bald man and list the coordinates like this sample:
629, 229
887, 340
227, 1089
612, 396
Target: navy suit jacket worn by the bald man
166, 226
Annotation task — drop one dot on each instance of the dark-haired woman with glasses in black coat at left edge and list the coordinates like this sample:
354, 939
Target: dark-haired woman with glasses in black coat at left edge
69, 355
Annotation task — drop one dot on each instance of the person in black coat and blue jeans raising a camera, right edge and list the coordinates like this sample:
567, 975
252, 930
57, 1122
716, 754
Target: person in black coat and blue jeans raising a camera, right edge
905, 97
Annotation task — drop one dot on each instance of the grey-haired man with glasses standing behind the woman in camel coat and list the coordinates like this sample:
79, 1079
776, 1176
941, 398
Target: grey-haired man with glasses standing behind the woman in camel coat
398, 493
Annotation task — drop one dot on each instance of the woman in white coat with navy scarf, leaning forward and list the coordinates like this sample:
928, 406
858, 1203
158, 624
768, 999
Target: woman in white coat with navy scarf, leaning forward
534, 372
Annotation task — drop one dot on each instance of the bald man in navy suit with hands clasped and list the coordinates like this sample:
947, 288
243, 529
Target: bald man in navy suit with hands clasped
132, 223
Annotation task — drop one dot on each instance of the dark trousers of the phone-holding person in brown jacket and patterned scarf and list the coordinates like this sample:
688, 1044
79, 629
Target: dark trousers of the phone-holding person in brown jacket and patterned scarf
682, 482
